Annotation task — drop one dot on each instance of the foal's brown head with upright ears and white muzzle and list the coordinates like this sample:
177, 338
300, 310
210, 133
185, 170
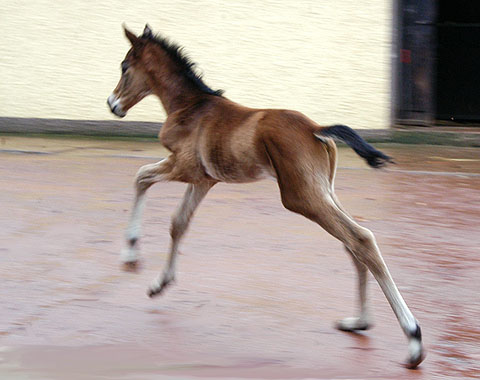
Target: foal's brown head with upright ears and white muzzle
133, 85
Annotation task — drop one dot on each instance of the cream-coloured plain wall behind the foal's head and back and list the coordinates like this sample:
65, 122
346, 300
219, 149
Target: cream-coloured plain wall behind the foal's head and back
326, 58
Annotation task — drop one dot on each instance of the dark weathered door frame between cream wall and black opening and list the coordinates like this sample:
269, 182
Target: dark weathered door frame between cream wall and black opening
413, 62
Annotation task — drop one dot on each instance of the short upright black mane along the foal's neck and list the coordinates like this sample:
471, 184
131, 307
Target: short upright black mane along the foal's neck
176, 53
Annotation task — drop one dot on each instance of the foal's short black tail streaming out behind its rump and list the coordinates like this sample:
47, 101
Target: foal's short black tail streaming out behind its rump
374, 158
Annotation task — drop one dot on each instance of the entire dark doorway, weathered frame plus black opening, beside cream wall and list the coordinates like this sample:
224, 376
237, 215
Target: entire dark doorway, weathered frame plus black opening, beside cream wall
436, 62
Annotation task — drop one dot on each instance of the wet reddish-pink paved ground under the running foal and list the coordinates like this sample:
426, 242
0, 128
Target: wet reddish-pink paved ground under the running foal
258, 288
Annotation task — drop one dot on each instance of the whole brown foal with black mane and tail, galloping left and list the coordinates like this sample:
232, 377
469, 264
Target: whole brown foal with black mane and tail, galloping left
213, 139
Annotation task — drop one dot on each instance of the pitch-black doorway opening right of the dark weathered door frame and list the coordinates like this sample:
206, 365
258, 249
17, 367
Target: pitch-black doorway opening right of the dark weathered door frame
458, 61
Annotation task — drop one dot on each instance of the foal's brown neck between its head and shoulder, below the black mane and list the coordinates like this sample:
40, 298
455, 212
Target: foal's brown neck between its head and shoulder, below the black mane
169, 82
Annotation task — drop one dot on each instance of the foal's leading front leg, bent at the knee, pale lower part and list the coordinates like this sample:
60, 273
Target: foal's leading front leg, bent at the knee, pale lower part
146, 176
